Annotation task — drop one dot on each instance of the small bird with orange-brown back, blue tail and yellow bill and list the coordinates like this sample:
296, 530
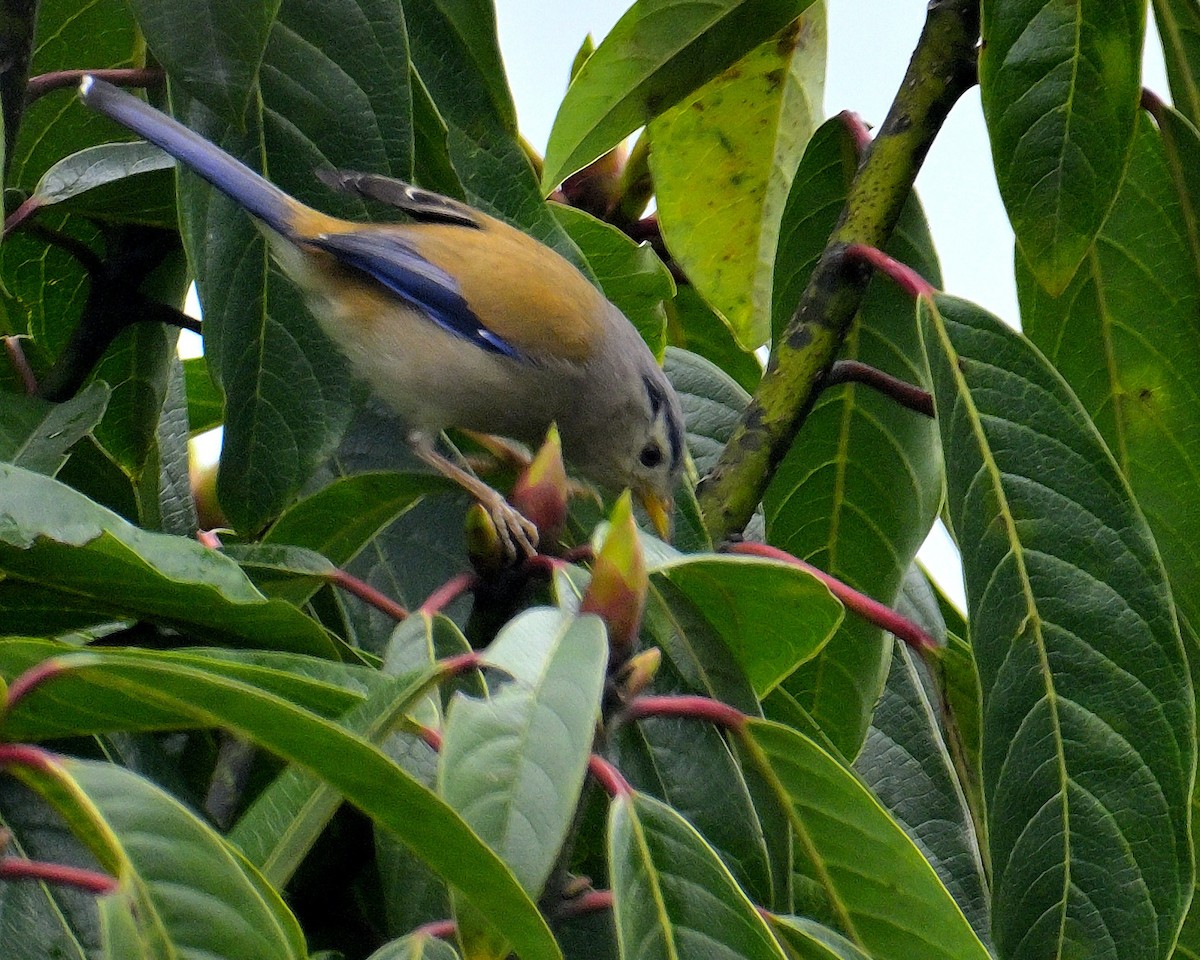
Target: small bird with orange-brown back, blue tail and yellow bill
458, 320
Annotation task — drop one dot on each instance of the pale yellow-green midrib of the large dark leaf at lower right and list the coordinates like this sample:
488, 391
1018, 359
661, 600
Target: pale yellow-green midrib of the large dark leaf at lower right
1033, 617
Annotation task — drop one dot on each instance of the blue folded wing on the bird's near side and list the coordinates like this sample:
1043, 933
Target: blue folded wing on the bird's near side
417, 281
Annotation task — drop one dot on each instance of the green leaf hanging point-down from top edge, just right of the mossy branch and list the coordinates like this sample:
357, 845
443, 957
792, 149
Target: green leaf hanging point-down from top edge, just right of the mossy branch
1060, 85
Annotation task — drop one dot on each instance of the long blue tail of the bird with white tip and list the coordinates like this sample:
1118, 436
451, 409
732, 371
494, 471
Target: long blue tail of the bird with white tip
259, 196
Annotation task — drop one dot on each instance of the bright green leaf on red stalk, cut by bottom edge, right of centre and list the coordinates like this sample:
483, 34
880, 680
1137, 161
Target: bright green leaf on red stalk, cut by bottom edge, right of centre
895, 907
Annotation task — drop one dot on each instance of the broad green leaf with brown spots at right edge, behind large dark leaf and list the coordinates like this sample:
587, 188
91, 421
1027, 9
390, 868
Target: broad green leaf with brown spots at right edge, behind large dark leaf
1137, 371
